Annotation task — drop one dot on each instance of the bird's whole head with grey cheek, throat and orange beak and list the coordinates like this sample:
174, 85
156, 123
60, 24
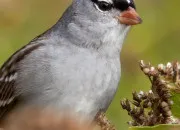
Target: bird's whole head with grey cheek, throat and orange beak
104, 20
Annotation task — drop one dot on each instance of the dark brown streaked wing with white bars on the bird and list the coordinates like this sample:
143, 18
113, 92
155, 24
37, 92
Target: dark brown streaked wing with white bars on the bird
8, 76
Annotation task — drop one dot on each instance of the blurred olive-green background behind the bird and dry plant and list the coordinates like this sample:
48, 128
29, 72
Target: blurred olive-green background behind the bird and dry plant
156, 40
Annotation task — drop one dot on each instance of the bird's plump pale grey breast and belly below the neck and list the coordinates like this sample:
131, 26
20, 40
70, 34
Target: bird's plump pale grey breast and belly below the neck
69, 78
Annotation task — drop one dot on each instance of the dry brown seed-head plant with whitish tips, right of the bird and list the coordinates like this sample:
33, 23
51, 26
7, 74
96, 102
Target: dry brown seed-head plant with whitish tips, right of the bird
154, 107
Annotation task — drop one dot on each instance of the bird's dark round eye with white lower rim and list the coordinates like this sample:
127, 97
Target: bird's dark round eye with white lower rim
104, 6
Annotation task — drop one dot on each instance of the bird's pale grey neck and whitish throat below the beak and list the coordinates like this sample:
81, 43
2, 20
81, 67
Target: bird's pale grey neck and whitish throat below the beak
107, 43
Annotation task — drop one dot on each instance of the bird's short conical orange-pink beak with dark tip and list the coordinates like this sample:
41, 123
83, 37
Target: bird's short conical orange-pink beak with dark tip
129, 17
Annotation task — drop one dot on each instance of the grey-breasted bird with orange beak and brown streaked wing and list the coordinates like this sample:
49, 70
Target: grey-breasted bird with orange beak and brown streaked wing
75, 64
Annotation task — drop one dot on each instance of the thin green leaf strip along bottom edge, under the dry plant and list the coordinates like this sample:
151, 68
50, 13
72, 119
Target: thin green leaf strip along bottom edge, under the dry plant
159, 127
